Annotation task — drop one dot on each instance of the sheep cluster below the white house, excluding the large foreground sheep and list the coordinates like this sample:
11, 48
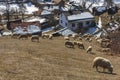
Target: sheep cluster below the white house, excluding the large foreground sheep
77, 39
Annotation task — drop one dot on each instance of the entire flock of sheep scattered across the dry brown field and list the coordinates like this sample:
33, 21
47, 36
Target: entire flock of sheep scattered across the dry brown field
77, 41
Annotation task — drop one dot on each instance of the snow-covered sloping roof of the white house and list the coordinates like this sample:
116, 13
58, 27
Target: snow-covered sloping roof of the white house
80, 16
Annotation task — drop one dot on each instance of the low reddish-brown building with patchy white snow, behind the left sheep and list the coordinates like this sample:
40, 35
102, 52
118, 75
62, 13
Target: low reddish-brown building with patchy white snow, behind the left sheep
26, 27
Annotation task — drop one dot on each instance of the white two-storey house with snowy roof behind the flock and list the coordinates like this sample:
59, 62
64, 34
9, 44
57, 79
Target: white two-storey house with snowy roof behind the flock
76, 21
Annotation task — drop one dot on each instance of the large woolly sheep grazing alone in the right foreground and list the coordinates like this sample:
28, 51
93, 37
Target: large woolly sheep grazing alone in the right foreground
104, 63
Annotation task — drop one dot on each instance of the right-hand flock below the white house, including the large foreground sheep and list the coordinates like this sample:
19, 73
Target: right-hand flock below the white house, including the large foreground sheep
98, 61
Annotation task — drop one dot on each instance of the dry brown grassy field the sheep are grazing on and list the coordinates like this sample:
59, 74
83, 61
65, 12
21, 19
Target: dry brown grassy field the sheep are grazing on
50, 60
